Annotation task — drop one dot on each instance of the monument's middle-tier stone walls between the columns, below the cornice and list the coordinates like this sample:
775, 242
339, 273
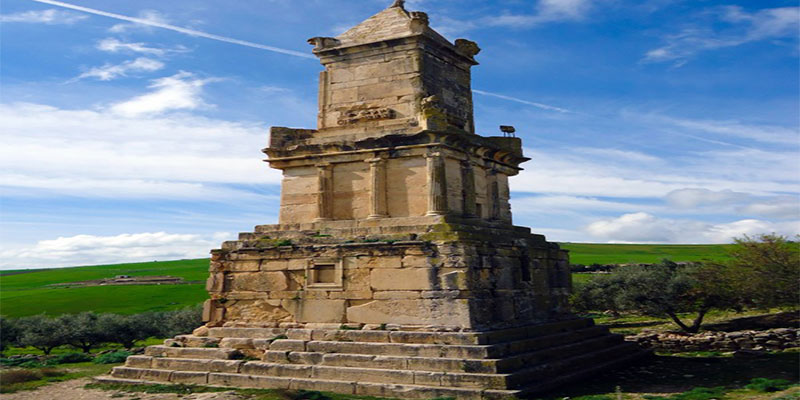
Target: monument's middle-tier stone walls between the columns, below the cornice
404, 186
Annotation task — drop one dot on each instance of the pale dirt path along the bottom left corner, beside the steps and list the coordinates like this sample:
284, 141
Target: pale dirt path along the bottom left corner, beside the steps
74, 390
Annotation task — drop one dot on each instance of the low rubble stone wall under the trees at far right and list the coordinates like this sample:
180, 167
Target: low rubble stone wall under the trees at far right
773, 339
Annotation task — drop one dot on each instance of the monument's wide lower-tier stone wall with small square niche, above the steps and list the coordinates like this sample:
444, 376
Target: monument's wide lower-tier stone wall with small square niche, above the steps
453, 286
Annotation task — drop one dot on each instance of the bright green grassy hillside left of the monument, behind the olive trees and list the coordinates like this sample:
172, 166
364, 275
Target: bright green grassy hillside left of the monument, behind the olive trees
26, 293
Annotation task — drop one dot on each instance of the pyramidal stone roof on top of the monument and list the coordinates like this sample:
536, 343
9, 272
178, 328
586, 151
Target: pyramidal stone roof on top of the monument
392, 23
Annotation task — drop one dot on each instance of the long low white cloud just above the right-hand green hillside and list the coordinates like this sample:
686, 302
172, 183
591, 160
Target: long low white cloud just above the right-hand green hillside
644, 227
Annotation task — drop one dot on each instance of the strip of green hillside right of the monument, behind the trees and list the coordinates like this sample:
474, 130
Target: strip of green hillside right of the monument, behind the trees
590, 253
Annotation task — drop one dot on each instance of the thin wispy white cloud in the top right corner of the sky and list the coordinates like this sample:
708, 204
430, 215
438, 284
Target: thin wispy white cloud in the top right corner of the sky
732, 27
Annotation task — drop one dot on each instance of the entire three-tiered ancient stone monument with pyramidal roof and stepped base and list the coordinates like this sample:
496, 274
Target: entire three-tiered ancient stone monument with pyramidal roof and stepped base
395, 269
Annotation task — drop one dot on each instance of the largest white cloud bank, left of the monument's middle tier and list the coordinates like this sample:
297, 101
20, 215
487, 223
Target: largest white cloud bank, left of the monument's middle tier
94, 153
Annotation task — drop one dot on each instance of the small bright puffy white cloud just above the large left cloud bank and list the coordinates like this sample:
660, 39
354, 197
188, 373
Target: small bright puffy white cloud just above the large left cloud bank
182, 91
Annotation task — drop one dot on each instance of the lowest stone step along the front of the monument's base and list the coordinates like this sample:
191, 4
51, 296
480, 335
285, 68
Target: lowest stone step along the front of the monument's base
404, 391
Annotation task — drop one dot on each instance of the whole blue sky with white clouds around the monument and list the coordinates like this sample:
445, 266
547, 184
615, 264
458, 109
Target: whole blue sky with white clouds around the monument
662, 121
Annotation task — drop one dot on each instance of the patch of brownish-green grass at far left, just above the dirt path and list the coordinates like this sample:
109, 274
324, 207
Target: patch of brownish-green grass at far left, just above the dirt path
12, 380
